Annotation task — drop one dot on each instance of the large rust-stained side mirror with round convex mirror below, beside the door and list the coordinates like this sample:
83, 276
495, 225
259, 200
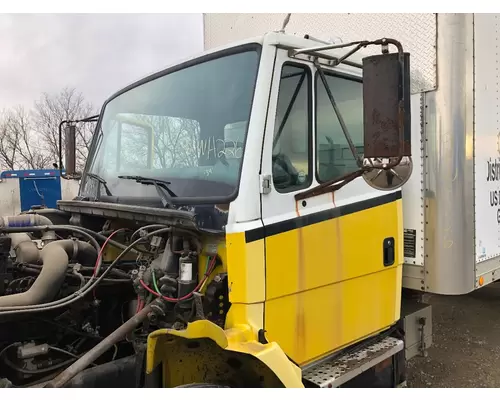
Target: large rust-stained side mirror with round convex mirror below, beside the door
387, 120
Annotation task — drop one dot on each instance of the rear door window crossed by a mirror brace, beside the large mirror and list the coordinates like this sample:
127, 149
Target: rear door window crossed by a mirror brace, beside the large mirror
333, 155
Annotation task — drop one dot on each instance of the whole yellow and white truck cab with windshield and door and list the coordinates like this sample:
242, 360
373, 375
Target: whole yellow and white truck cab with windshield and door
248, 138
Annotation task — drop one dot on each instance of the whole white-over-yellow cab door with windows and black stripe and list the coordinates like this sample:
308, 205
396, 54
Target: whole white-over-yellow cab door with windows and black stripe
326, 282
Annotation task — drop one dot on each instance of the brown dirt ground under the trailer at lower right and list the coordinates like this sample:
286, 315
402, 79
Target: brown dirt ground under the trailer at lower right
466, 342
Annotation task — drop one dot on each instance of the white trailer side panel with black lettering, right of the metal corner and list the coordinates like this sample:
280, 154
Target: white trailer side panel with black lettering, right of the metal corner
487, 146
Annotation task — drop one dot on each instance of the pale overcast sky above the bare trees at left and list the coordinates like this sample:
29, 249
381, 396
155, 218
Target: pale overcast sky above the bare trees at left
95, 53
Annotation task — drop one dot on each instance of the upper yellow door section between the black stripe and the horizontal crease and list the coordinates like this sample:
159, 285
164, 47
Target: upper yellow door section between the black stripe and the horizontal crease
332, 250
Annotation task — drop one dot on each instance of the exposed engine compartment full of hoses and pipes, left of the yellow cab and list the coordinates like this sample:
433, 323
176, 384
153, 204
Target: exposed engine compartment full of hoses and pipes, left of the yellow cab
76, 284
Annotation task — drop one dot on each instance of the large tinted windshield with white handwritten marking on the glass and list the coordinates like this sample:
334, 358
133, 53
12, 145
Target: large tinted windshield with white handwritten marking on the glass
187, 127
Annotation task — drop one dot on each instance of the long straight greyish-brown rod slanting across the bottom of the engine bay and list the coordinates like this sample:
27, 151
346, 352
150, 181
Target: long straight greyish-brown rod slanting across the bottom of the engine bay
103, 346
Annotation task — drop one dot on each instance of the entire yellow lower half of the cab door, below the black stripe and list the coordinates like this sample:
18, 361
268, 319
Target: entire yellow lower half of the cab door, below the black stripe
326, 282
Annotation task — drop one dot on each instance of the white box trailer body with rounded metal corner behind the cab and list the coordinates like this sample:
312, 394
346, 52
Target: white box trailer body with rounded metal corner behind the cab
452, 201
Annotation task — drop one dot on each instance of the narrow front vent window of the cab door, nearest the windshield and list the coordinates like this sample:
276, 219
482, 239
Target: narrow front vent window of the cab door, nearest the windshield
292, 133
